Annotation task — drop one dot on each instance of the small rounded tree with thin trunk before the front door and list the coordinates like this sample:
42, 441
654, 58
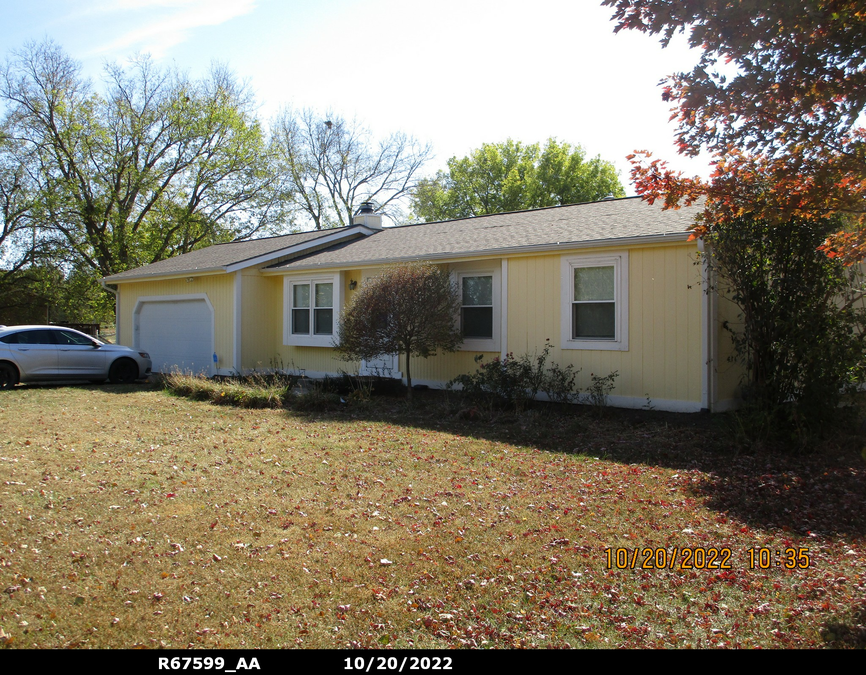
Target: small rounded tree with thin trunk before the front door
410, 309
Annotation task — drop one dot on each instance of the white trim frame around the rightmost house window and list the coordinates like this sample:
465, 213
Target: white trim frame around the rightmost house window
619, 261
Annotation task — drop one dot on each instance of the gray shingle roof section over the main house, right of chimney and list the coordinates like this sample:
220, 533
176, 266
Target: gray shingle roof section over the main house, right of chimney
579, 224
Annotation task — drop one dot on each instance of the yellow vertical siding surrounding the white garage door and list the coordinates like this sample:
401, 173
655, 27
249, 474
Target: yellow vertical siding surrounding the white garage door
218, 289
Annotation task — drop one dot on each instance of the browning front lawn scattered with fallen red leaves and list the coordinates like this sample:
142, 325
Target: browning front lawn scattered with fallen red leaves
129, 517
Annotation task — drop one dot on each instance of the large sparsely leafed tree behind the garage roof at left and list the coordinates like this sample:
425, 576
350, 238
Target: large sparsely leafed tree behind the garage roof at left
155, 166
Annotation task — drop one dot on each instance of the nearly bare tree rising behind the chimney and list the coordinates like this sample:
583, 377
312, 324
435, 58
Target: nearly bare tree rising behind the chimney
328, 166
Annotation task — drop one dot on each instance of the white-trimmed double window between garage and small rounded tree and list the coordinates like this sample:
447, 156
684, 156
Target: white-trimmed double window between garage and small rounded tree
311, 308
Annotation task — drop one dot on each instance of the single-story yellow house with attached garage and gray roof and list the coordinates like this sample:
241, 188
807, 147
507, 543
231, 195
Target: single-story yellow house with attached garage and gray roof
615, 285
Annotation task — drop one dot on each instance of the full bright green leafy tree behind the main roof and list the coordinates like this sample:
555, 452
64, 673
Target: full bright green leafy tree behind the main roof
511, 176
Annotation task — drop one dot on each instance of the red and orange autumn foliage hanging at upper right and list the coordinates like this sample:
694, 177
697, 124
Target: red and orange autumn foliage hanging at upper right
783, 127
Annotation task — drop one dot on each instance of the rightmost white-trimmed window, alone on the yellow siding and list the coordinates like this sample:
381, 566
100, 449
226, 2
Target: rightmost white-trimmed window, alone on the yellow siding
595, 302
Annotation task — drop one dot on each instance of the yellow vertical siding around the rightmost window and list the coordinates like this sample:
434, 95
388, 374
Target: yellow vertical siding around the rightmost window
664, 355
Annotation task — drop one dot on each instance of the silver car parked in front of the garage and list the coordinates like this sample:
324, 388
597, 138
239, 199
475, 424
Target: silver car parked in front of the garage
32, 353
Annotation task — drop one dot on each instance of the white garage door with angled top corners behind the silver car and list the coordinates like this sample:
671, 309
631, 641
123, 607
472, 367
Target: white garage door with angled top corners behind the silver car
177, 334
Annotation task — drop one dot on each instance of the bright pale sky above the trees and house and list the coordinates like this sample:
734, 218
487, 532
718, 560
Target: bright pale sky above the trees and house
455, 73
